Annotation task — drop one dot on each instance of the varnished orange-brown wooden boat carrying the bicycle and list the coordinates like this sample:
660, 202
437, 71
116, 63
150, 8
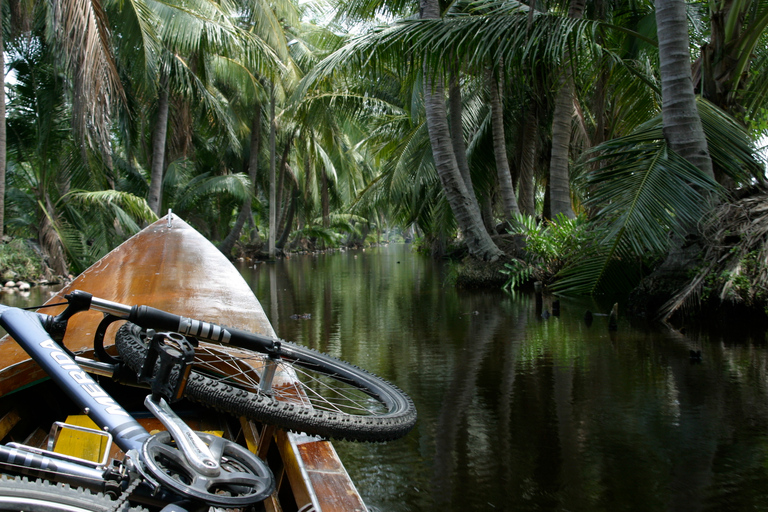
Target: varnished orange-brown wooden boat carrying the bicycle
170, 266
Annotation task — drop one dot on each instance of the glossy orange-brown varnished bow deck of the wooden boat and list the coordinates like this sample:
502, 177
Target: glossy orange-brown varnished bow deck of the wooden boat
171, 268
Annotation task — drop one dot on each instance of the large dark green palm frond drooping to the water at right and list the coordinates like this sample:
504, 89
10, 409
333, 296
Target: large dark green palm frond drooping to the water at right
645, 195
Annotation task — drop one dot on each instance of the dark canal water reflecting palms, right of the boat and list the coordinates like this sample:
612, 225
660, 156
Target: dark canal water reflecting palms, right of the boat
520, 411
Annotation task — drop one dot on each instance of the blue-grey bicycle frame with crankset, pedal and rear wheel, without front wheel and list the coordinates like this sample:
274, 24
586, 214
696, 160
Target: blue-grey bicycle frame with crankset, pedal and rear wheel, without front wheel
173, 470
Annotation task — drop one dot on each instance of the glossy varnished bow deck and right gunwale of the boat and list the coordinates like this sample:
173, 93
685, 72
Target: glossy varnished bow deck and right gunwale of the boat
176, 269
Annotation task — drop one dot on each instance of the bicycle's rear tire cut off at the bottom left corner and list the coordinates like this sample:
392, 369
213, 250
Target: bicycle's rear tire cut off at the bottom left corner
19, 493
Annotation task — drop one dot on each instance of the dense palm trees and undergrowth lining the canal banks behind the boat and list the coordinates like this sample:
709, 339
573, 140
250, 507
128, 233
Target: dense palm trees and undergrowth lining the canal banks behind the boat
490, 124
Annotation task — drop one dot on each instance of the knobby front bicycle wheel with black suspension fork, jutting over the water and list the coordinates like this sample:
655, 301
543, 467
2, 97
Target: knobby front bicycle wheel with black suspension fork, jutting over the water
245, 374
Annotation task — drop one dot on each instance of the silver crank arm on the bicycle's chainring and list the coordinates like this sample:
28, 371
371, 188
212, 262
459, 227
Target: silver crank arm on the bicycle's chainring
196, 452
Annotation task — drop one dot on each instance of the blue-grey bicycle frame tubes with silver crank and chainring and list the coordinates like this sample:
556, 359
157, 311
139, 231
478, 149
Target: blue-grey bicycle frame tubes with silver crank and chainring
29, 331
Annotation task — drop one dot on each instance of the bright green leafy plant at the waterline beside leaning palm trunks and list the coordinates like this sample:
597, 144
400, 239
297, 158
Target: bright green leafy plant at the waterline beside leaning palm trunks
549, 246
